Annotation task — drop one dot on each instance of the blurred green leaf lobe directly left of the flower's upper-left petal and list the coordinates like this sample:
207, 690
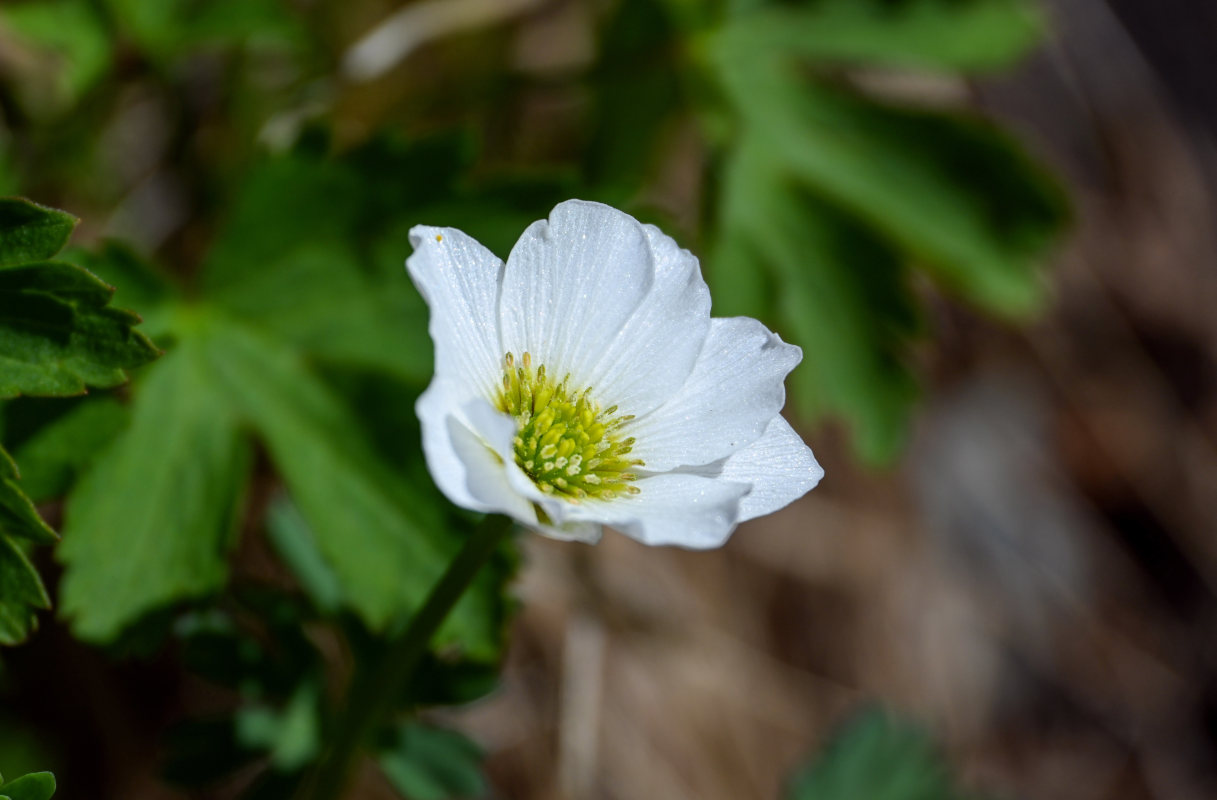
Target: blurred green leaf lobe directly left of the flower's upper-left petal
295, 260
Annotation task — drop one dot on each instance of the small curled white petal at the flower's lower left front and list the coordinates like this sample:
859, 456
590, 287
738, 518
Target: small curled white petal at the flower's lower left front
467, 471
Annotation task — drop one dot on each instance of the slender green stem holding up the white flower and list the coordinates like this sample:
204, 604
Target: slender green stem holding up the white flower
371, 696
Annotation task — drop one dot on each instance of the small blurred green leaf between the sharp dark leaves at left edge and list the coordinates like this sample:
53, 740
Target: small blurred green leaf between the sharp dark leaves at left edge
55, 456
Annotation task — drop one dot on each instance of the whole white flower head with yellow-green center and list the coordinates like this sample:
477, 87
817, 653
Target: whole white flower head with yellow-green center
585, 384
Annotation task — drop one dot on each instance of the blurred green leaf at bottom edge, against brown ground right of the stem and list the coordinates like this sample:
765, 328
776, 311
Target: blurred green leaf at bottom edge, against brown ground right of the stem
877, 758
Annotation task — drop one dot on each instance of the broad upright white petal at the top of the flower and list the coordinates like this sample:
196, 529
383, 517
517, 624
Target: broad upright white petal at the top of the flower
571, 284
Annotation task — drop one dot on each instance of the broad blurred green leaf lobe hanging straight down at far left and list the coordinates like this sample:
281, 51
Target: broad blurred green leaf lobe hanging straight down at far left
152, 522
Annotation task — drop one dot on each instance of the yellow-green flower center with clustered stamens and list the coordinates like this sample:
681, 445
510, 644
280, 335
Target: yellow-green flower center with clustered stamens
565, 443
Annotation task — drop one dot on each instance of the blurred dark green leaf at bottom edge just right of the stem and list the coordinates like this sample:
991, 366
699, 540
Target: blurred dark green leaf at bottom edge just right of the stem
433, 764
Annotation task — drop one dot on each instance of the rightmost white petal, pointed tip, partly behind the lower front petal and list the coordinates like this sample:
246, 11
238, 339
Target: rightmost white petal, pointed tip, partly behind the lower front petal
779, 467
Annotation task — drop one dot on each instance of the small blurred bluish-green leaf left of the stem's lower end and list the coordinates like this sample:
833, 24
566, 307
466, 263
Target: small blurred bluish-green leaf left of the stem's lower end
291, 735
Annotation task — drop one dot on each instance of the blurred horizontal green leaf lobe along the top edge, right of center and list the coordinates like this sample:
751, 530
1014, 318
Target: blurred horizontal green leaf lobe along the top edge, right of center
936, 35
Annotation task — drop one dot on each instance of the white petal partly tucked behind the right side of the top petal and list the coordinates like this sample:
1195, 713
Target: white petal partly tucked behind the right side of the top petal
654, 355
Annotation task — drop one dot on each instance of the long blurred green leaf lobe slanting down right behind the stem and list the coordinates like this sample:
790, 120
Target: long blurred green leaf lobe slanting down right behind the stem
385, 540
